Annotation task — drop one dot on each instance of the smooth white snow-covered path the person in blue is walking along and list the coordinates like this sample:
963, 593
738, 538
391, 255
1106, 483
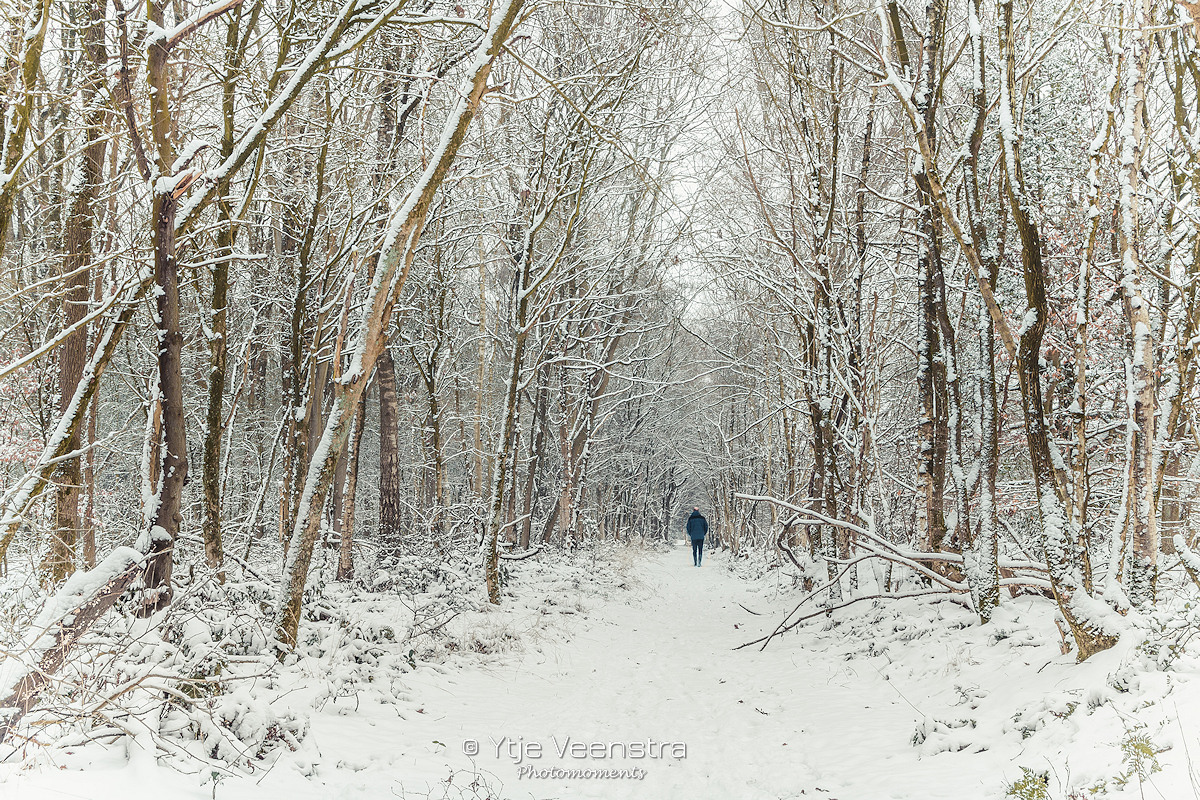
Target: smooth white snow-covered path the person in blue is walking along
779, 724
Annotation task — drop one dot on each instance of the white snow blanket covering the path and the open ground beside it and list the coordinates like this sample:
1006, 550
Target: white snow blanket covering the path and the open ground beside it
638, 647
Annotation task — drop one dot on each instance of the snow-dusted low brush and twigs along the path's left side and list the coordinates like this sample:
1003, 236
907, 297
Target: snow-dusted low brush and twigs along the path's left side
201, 684
